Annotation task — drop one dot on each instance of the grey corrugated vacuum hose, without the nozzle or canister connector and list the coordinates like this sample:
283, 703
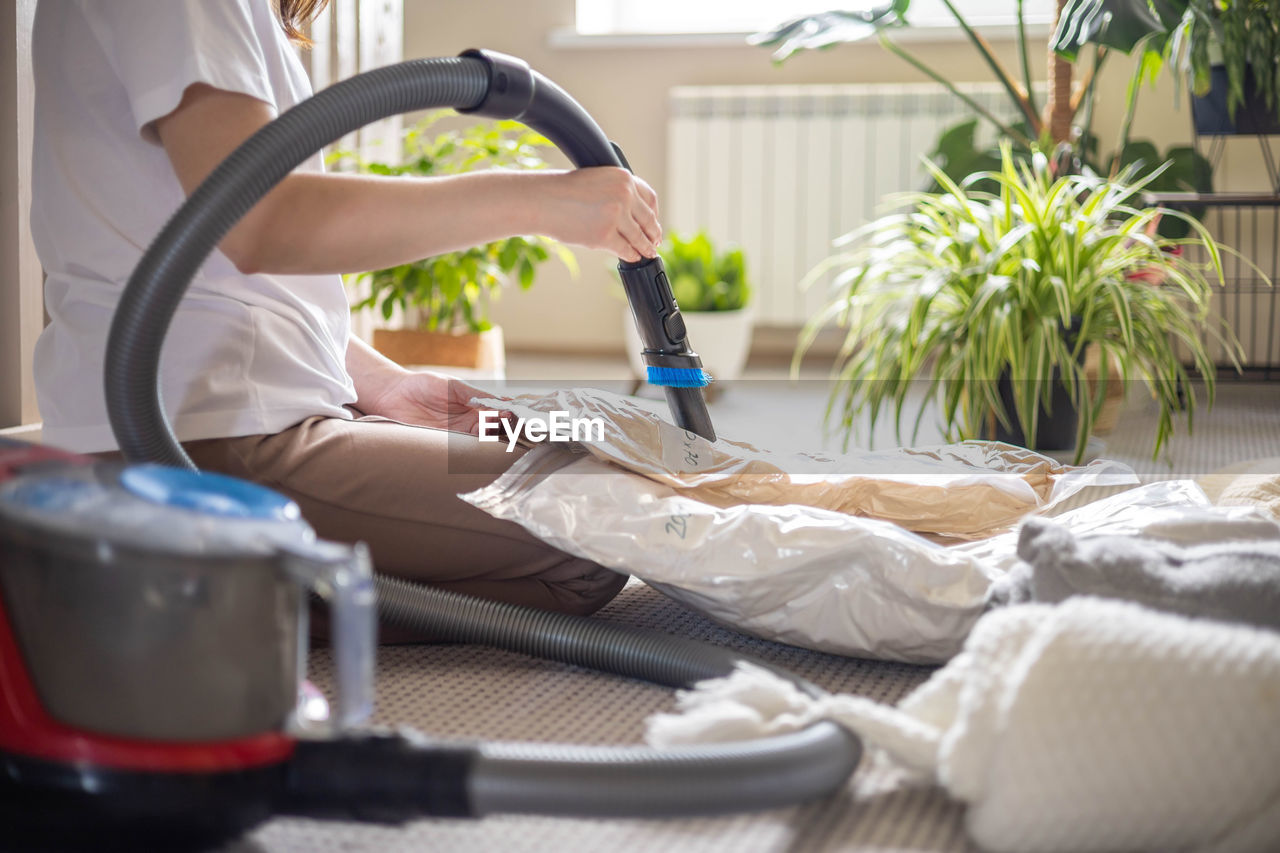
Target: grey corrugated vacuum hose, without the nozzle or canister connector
505, 778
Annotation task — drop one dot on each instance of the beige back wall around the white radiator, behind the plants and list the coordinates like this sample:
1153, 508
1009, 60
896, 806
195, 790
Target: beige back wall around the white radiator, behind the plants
625, 89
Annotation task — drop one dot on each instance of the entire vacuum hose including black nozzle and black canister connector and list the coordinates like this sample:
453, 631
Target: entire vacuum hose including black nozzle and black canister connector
487, 778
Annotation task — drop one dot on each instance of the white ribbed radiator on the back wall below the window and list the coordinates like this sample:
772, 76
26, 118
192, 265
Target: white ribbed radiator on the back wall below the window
783, 171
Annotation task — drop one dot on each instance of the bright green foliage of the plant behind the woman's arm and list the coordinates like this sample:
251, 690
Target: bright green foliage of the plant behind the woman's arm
454, 293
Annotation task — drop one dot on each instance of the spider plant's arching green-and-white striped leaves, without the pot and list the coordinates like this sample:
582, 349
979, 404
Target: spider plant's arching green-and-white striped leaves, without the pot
964, 288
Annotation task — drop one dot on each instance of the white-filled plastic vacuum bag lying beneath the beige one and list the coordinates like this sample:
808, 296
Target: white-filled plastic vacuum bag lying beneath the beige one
796, 574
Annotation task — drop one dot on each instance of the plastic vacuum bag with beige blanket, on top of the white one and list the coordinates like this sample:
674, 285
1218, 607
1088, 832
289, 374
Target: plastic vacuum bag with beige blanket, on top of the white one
967, 491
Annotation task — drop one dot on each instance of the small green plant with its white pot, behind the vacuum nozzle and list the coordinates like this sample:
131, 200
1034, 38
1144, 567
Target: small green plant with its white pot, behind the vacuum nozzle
712, 290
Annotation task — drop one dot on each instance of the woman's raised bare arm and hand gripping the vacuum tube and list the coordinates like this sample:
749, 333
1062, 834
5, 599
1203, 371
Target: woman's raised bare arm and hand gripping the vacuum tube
341, 223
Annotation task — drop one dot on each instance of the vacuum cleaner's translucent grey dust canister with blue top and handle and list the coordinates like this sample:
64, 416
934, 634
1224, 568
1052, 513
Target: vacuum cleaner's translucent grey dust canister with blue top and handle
162, 605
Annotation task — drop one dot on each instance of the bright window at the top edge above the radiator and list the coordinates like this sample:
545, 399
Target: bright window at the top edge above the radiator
618, 17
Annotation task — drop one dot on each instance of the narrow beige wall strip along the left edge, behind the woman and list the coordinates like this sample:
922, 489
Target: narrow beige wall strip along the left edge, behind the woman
21, 304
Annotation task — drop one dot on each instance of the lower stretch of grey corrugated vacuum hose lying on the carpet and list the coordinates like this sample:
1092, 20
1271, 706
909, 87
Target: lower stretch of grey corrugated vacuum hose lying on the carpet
624, 782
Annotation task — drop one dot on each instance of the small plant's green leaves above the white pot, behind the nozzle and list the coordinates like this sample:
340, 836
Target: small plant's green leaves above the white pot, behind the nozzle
702, 277
